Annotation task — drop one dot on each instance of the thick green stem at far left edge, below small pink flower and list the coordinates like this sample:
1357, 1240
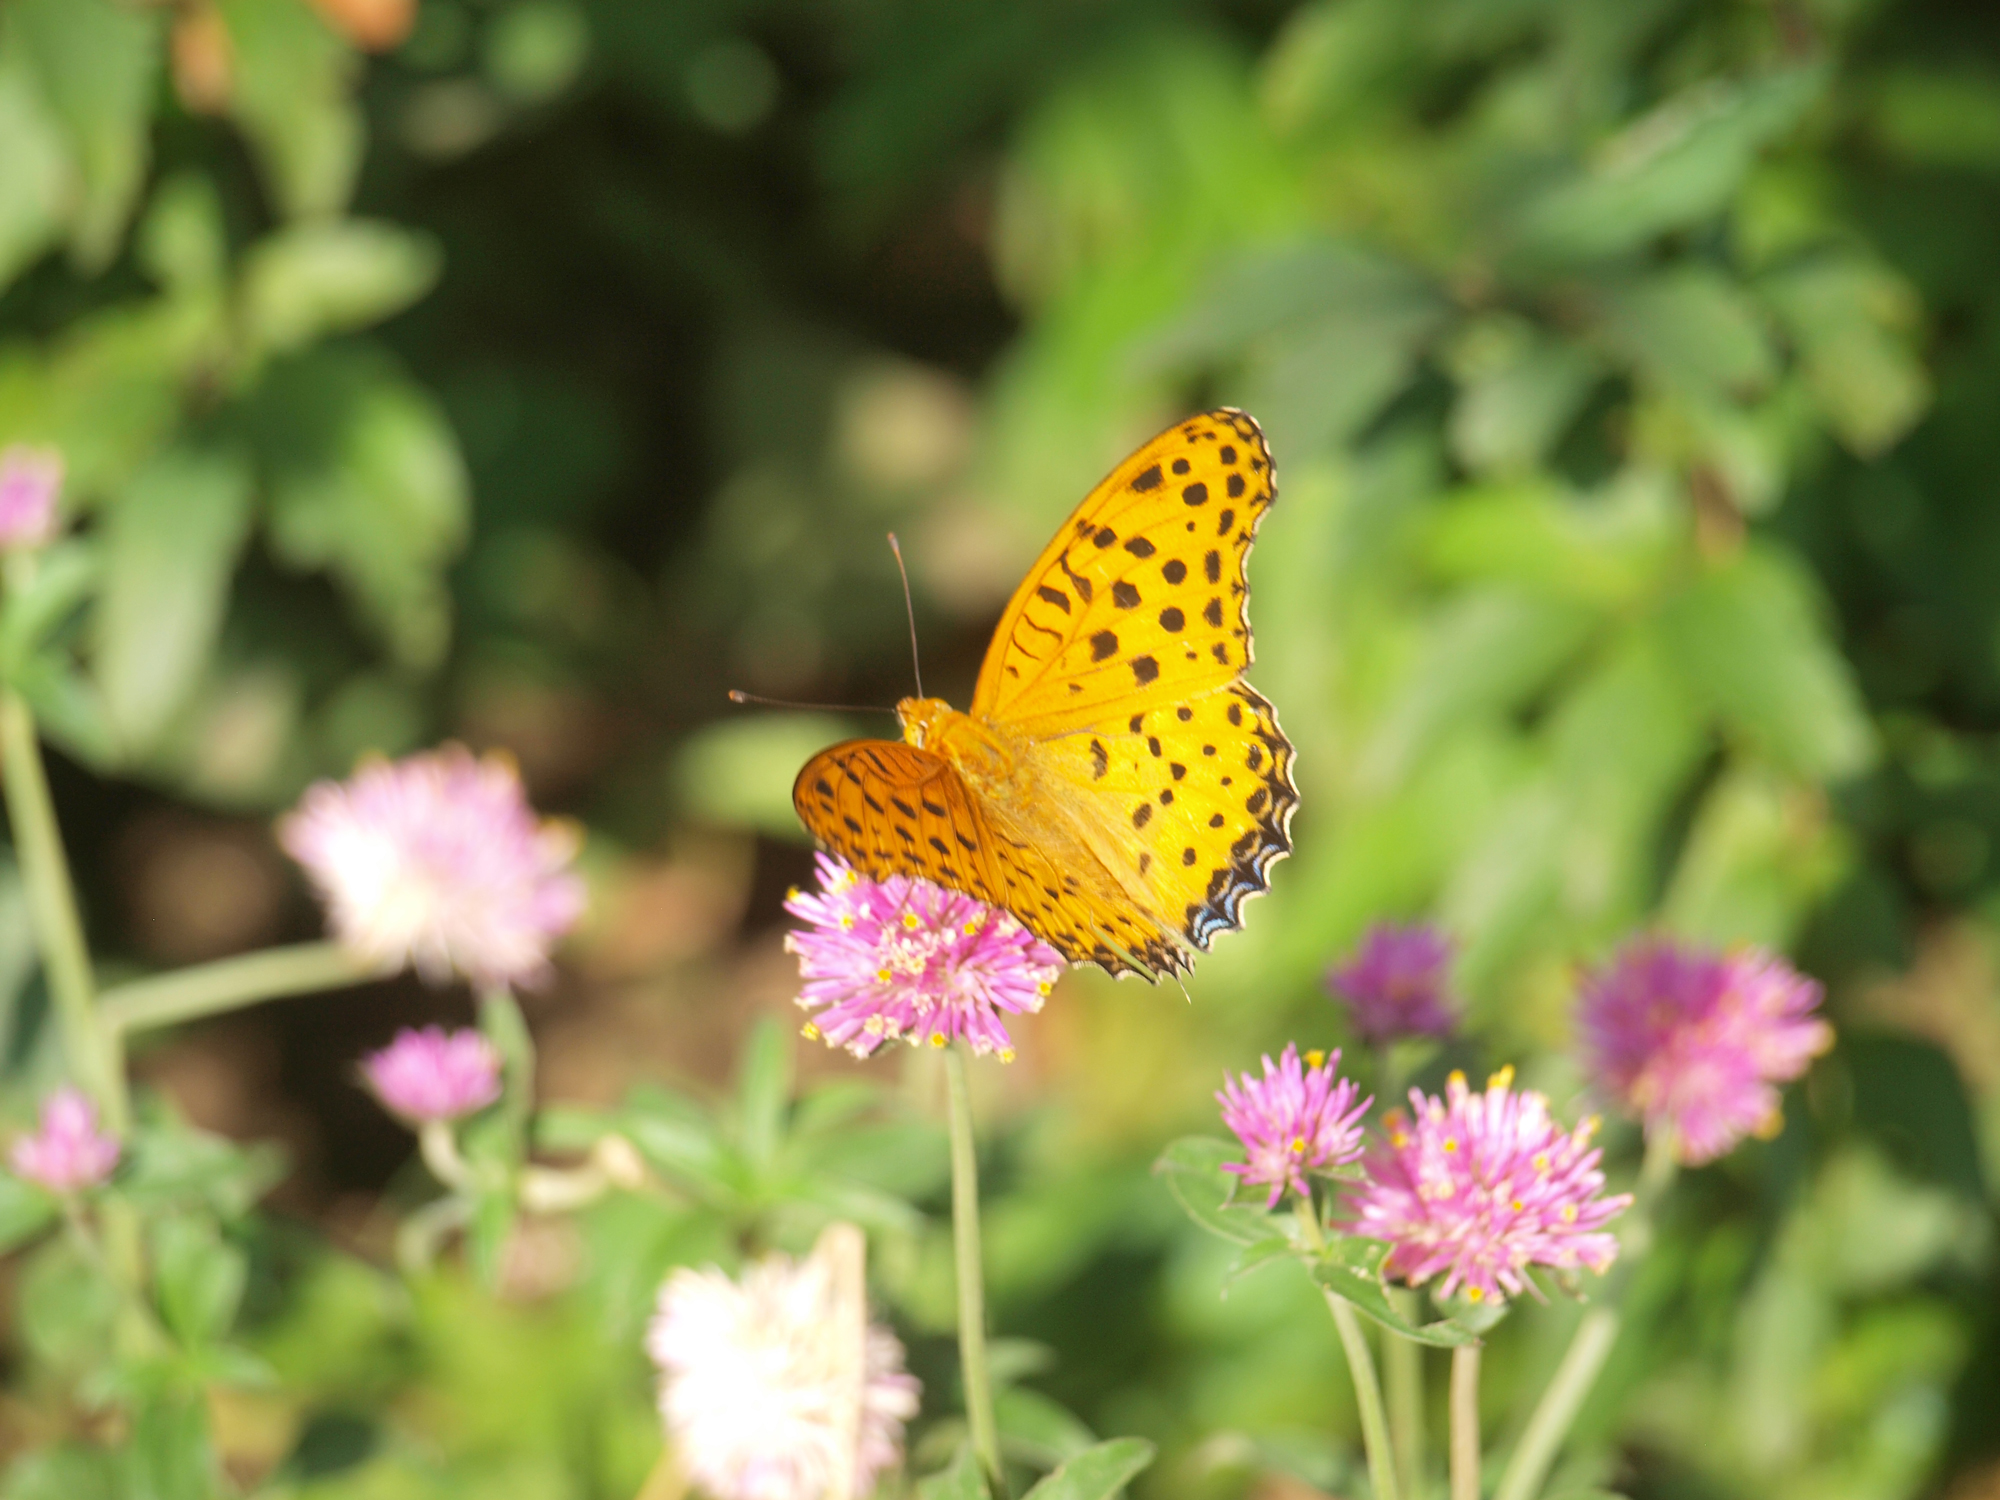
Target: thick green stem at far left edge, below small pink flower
53, 909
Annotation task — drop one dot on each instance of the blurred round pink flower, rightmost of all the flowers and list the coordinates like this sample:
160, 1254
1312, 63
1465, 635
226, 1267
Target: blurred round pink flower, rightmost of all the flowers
1693, 1041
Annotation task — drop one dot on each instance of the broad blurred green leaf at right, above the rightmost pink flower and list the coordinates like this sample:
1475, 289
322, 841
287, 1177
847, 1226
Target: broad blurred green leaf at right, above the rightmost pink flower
1749, 639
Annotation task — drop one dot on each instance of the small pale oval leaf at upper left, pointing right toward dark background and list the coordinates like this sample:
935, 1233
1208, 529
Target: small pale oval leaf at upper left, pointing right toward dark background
313, 281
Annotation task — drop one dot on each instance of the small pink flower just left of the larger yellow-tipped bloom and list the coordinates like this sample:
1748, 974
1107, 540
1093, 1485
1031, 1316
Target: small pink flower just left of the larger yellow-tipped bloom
1293, 1121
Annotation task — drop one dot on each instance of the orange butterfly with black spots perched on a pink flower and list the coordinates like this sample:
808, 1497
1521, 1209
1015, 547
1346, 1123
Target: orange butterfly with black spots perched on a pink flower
1119, 787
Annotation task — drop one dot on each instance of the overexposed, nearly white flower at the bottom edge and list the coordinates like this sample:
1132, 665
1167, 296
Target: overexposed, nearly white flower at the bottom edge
753, 1387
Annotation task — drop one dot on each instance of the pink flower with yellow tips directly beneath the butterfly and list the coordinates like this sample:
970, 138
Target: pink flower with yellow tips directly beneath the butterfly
909, 959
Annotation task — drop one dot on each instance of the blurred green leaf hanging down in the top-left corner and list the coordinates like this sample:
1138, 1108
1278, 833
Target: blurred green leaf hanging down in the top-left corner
97, 65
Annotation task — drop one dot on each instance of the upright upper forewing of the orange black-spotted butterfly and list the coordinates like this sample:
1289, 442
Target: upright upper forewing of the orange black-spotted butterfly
1143, 595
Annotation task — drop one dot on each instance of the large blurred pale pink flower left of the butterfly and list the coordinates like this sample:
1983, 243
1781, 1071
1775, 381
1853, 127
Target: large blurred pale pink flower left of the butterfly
439, 861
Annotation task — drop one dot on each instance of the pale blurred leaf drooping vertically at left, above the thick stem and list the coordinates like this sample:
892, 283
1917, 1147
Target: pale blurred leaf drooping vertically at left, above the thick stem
171, 547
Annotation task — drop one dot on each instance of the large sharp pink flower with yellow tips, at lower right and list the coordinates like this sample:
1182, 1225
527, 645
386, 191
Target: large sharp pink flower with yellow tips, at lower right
1481, 1187
